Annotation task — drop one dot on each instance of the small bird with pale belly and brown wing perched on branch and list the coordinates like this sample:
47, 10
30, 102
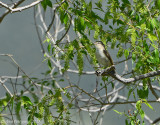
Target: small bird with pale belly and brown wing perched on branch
102, 55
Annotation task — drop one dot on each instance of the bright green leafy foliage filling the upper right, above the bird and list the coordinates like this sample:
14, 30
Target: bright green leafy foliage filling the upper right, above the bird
130, 27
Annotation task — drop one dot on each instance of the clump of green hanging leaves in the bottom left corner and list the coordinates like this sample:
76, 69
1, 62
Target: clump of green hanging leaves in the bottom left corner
43, 109
